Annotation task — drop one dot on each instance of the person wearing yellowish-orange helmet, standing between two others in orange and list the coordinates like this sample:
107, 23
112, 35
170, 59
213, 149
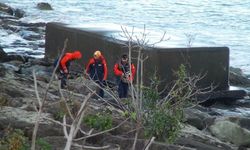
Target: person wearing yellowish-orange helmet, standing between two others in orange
97, 70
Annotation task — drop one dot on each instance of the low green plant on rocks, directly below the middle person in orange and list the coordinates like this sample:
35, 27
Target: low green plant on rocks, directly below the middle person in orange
99, 121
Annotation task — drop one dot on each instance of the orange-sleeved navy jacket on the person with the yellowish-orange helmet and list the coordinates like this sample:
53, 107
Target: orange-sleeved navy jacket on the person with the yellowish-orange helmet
91, 68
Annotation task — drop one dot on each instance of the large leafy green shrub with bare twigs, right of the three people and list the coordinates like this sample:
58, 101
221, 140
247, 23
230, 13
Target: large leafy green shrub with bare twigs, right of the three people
162, 118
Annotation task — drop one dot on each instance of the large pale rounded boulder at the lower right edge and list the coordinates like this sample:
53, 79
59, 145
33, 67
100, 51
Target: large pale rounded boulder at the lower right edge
227, 130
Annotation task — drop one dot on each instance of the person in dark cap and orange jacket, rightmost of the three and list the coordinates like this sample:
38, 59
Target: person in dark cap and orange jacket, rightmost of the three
124, 77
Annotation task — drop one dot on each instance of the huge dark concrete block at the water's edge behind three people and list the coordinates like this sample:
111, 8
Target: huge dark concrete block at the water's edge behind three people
212, 61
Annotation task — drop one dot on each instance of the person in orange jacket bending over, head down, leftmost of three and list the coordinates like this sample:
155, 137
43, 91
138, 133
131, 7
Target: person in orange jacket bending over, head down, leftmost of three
64, 65
